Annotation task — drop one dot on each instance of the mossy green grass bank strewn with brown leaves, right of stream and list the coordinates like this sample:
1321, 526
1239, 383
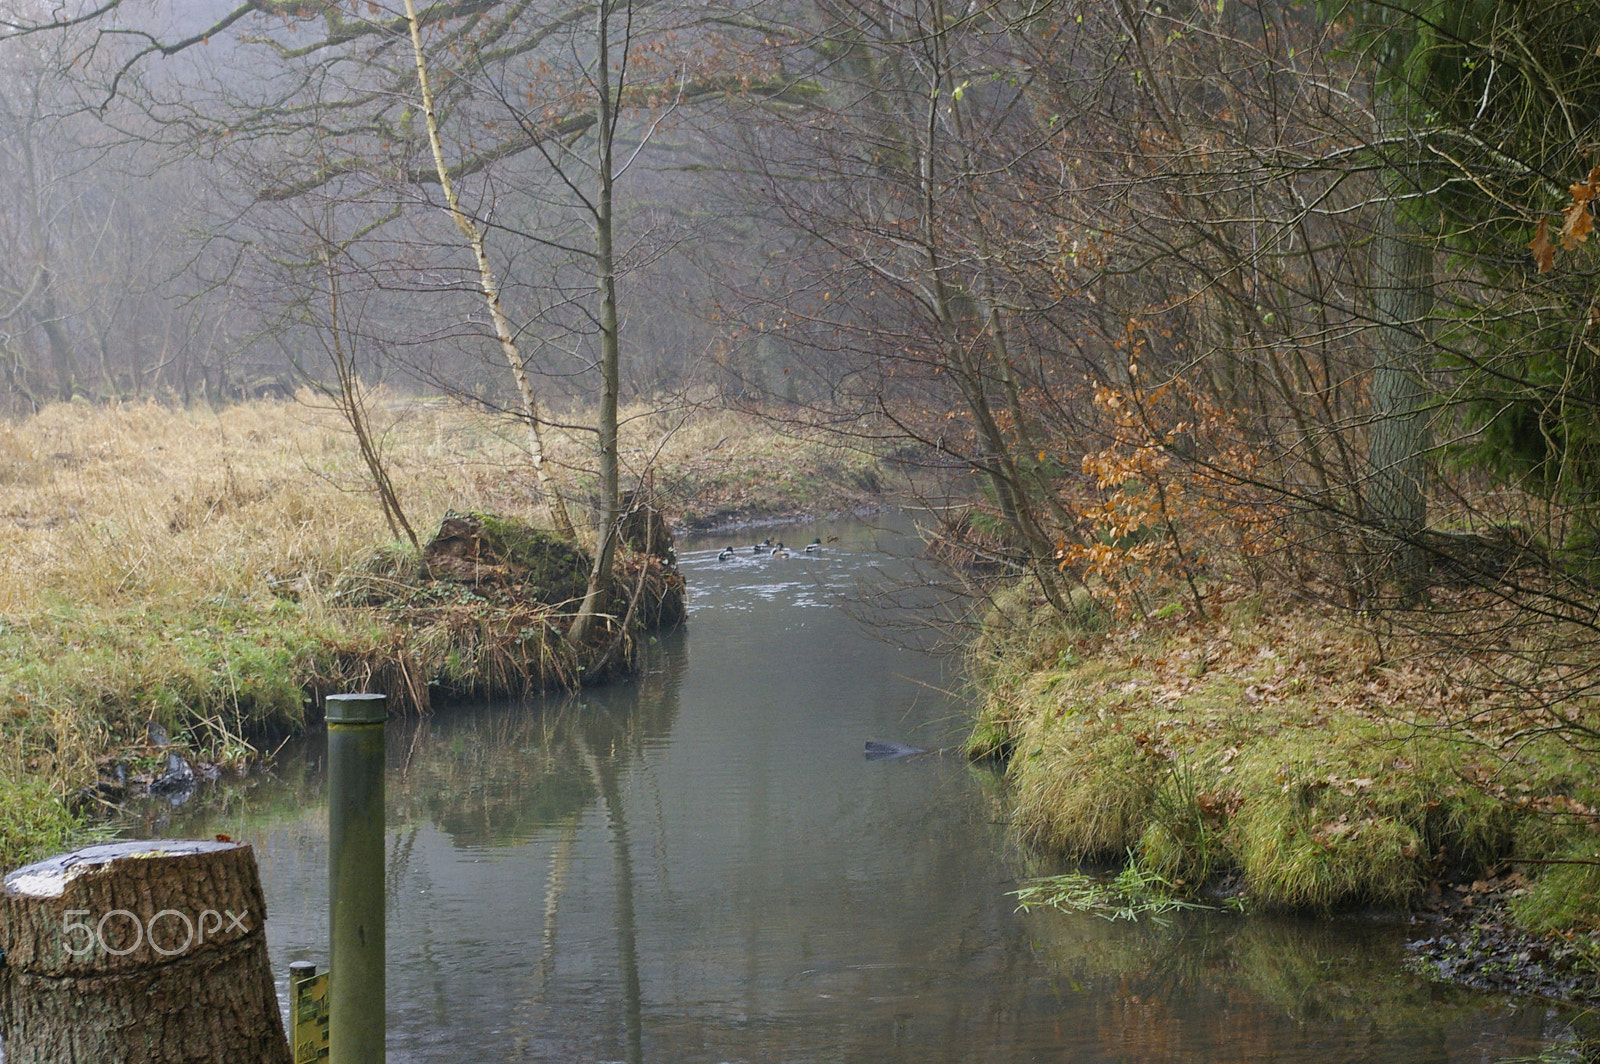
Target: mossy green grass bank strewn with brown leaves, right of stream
1279, 748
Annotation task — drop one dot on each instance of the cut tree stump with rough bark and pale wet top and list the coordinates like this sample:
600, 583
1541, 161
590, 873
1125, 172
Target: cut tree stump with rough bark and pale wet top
138, 953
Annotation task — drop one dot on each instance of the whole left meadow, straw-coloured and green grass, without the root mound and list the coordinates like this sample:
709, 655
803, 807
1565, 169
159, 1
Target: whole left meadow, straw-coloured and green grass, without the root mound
194, 567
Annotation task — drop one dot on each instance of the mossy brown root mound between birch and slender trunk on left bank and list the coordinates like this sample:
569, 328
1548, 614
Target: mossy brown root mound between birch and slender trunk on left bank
492, 550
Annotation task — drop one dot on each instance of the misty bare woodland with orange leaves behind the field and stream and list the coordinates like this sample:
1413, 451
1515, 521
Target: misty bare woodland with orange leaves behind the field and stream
1182, 297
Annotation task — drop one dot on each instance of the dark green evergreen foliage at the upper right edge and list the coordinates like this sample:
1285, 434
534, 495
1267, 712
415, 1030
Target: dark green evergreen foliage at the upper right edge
1503, 100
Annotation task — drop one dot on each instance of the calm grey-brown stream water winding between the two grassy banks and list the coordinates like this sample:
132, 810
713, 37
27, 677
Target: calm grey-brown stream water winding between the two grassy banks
703, 868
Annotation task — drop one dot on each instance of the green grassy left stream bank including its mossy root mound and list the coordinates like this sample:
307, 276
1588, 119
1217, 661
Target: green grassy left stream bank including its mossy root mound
226, 671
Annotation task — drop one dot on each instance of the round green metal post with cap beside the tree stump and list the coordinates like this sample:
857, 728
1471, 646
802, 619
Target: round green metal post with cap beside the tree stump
356, 878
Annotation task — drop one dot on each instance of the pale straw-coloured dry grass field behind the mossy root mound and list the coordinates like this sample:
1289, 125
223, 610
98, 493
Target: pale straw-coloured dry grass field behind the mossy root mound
108, 505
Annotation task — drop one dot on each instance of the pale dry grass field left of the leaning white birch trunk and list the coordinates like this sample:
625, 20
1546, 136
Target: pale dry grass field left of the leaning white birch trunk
126, 503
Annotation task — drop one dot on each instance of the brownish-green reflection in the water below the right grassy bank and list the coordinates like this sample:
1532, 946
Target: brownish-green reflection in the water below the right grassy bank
1270, 988
